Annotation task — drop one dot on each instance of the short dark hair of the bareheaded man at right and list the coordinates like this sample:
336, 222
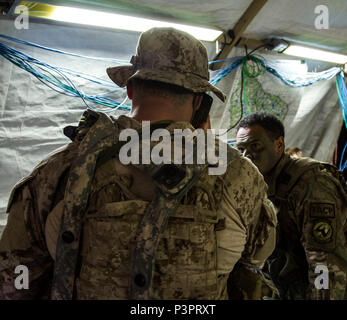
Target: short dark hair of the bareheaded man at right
272, 125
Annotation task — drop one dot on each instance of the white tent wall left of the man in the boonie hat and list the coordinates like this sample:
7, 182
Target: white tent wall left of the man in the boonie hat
32, 115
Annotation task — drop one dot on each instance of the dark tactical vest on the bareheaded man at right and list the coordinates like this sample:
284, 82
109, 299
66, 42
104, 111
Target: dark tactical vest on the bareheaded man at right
287, 266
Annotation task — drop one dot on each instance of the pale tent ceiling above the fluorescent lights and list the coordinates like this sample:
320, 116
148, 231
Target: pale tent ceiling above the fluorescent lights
292, 19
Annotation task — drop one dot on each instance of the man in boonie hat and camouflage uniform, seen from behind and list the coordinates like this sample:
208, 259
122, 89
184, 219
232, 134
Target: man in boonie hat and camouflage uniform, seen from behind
75, 221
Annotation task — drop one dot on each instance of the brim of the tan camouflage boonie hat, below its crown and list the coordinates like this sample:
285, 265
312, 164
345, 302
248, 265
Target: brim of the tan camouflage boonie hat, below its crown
122, 74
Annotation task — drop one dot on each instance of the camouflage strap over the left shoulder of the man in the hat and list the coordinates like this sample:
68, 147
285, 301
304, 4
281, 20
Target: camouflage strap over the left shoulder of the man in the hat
103, 134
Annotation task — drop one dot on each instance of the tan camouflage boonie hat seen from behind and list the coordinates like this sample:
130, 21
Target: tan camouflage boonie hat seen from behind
171, 56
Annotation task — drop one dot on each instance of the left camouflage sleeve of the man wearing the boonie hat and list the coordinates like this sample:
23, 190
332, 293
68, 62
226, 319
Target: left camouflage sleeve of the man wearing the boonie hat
25, 265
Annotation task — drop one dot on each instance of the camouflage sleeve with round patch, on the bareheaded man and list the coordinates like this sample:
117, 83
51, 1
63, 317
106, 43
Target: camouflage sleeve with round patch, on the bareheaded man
320, 211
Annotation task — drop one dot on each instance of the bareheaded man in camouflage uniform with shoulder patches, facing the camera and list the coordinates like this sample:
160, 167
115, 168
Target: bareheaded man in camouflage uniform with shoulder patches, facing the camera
311, 203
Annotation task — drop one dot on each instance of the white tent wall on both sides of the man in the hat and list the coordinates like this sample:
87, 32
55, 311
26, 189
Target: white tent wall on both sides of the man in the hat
32, 115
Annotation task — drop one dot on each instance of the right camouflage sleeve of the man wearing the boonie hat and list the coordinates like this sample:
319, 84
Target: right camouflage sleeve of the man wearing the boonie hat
250, 219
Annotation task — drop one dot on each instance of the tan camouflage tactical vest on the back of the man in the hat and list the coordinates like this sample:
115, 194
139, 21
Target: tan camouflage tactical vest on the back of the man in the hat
110, 216
